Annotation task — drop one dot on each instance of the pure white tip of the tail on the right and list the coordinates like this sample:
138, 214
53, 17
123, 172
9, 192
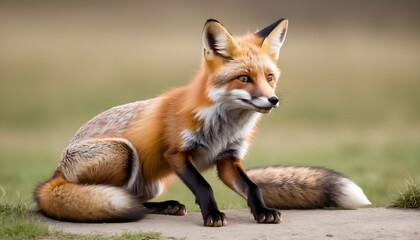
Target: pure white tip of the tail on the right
352, 196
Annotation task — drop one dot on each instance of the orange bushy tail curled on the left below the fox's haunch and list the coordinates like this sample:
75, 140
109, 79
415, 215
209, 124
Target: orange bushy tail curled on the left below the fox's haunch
67, 201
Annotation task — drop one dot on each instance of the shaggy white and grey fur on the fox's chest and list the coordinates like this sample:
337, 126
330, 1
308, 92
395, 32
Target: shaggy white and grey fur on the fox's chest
223, 134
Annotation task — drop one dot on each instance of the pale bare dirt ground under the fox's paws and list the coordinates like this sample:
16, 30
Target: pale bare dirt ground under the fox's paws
368, 223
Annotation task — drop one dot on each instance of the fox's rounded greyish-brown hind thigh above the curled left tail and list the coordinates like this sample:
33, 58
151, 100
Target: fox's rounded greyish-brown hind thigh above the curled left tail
109, 161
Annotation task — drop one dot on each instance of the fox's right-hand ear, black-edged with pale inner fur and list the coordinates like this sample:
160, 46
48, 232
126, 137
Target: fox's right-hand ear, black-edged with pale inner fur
273, 37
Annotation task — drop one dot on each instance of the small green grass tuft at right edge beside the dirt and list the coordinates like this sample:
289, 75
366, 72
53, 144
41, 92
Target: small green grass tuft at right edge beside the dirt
409, 197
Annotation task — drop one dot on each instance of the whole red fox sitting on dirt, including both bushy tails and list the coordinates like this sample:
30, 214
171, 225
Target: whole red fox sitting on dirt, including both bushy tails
127, 155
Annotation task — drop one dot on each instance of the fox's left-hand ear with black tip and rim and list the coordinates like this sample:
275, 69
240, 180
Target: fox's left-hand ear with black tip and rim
217, 41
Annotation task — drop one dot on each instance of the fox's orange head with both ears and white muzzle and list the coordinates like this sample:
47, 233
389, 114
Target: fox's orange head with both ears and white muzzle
243, 70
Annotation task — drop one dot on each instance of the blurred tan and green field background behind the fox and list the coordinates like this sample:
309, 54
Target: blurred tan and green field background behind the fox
350, 83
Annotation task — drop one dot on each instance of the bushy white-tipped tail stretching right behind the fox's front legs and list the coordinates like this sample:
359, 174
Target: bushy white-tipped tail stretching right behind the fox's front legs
307, 187
